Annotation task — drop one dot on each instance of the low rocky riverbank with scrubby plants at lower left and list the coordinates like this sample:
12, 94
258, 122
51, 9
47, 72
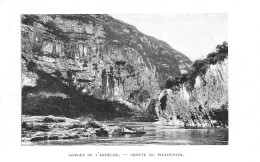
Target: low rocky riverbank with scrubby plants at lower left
37, 128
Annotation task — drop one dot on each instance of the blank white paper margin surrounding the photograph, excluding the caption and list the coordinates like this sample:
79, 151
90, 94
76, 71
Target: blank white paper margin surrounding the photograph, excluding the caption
243, 69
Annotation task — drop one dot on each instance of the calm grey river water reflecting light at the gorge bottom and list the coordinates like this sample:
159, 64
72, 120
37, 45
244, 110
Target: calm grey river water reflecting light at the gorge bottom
155, 135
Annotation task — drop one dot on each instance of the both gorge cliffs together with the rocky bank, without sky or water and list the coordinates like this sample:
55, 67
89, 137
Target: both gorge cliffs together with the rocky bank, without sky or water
77, 69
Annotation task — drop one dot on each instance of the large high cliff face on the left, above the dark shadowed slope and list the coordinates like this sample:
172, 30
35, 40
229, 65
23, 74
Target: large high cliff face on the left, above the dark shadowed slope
97, 55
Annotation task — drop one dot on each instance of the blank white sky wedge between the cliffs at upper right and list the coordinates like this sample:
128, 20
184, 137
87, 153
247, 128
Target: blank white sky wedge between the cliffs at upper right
194, 35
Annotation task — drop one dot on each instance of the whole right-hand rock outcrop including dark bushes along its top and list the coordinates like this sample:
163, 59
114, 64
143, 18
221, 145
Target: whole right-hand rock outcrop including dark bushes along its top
200, 97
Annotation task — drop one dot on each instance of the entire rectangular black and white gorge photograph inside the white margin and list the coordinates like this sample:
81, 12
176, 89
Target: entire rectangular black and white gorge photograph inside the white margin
97, 80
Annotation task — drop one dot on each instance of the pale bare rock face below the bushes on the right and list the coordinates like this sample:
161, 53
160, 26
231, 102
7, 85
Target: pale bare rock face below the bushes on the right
205, 106
